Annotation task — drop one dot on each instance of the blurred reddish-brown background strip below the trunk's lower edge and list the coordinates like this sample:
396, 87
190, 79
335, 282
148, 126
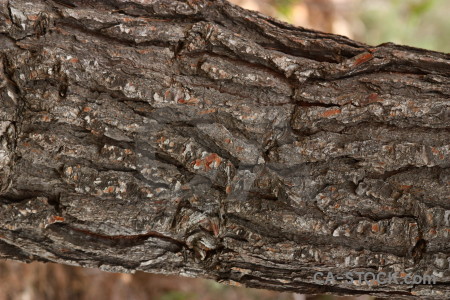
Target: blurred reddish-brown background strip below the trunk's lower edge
39, 281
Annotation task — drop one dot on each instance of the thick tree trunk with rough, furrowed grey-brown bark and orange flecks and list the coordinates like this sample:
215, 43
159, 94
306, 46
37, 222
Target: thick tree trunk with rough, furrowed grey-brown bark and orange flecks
197, 138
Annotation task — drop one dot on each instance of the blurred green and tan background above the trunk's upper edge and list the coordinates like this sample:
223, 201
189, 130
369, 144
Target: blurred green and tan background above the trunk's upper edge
418, 23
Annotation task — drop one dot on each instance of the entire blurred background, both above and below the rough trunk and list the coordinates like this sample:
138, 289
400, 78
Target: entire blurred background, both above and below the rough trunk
419, 23
